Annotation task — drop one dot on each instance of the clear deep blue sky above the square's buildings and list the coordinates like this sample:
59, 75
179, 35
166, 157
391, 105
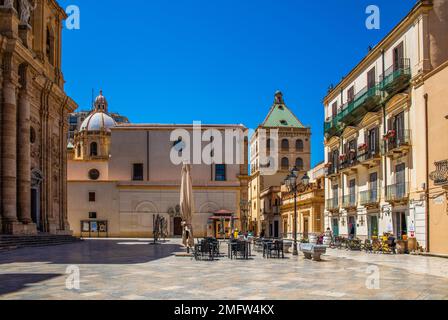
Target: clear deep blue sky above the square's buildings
218, 61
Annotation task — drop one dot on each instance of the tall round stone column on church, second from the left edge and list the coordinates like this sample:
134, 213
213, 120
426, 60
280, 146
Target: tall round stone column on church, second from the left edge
24, 156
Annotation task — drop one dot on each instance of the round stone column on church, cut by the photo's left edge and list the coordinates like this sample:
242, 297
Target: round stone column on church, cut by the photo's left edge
9, 156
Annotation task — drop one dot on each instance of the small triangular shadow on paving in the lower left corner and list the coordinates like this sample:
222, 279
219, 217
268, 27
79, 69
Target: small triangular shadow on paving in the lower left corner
10, 283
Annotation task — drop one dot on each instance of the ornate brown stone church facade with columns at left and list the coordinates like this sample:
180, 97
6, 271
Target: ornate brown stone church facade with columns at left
33, 110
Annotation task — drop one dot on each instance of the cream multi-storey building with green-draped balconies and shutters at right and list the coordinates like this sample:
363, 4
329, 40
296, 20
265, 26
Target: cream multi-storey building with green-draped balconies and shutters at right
376, 147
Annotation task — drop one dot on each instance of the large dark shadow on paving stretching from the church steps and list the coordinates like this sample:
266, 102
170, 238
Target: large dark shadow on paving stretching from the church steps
93, 252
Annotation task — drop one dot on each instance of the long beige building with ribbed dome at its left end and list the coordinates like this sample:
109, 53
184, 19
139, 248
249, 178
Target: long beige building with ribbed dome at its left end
120, 177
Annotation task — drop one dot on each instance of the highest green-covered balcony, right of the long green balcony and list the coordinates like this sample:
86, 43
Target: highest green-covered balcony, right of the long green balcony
396, 78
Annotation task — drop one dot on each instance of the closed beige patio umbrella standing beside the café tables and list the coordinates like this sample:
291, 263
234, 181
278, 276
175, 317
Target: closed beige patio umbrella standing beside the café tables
187, 206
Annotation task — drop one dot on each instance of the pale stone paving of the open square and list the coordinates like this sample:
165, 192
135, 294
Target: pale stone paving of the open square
135, 269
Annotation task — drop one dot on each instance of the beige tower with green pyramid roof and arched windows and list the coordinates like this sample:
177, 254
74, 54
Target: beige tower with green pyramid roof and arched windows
278, 144
